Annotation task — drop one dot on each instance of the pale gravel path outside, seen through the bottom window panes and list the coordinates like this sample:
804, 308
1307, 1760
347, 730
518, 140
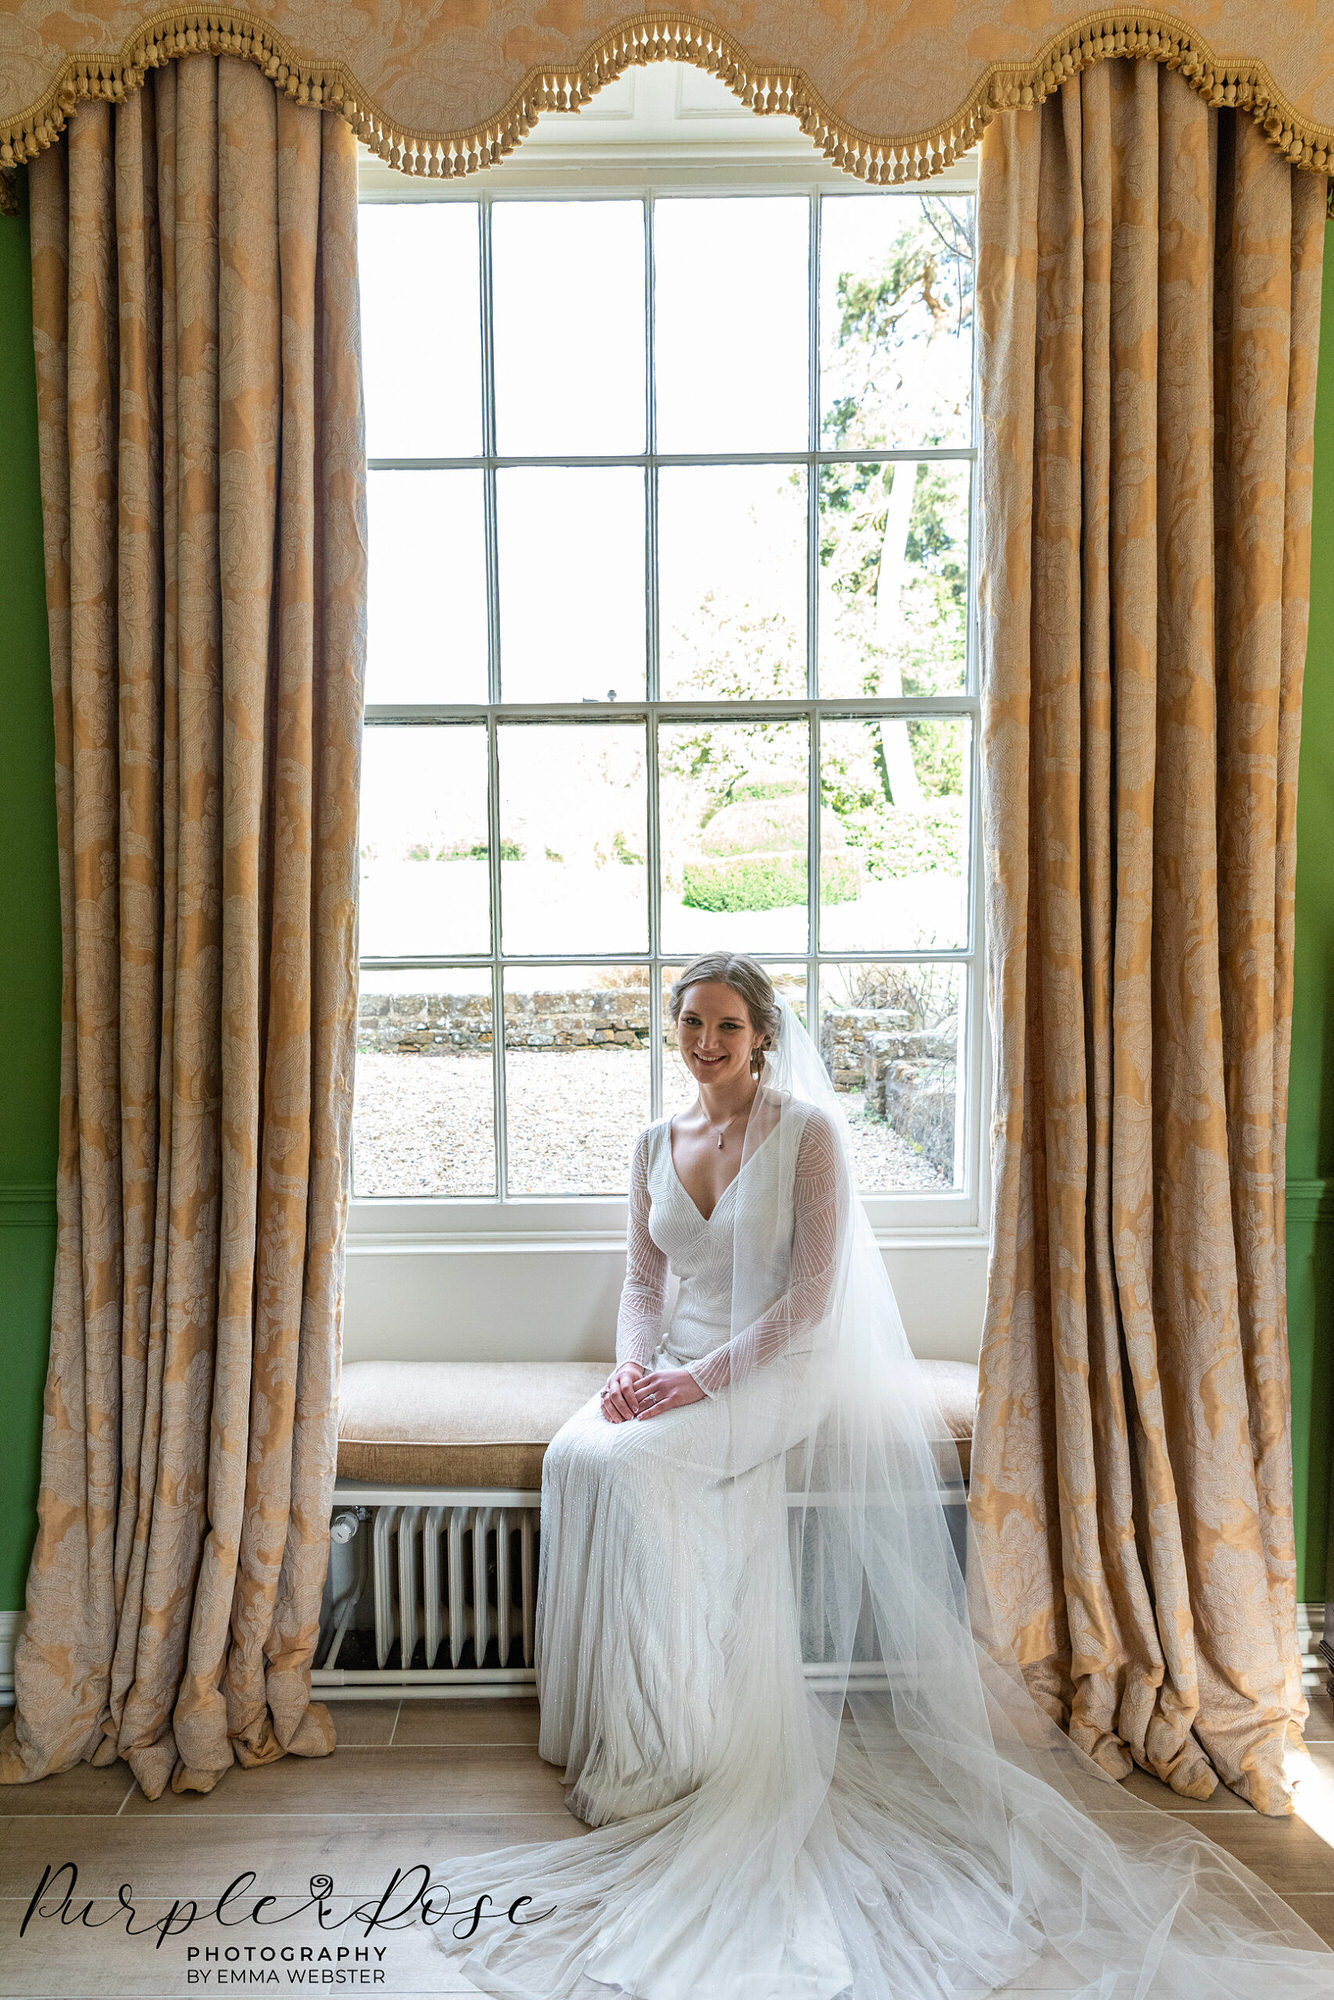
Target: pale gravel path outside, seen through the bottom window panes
425, 1125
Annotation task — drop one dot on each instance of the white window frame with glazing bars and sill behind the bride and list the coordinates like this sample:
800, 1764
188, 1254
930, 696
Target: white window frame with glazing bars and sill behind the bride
499, 1223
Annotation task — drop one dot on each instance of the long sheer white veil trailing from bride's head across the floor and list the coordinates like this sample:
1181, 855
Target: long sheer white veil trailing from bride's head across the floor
887, 1813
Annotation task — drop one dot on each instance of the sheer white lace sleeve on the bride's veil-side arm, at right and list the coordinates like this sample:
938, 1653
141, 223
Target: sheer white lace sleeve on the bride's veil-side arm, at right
821, 1195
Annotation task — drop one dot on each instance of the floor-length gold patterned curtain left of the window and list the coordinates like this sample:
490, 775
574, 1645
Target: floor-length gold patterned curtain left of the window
203, 493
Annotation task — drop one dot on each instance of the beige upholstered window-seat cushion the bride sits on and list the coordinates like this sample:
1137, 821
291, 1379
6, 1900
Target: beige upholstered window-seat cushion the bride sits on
489, 1423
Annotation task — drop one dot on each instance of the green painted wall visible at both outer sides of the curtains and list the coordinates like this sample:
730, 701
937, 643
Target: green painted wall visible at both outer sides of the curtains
31, 973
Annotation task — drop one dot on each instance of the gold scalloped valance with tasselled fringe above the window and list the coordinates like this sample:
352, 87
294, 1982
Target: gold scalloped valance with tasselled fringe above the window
887, 89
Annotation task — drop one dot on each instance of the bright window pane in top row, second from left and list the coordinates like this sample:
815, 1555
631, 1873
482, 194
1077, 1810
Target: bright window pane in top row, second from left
569, 315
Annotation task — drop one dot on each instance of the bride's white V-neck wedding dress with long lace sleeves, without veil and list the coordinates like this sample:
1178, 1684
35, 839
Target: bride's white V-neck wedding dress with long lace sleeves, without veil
645, 1545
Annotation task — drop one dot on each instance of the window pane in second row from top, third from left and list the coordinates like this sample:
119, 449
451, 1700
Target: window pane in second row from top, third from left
733, 581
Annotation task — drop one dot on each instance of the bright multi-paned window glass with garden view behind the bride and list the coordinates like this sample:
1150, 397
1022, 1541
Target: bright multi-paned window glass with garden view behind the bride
671, 649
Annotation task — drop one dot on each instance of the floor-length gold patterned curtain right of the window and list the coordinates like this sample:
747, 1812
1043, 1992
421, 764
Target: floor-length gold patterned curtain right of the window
1149, 287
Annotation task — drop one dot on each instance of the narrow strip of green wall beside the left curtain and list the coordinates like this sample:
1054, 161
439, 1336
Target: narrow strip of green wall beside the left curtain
29, 929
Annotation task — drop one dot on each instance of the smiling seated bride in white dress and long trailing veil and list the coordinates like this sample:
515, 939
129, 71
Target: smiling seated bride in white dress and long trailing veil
809, 1765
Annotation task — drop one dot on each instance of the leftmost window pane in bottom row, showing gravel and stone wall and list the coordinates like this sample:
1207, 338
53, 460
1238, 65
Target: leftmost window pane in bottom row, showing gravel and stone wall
425, 1085
